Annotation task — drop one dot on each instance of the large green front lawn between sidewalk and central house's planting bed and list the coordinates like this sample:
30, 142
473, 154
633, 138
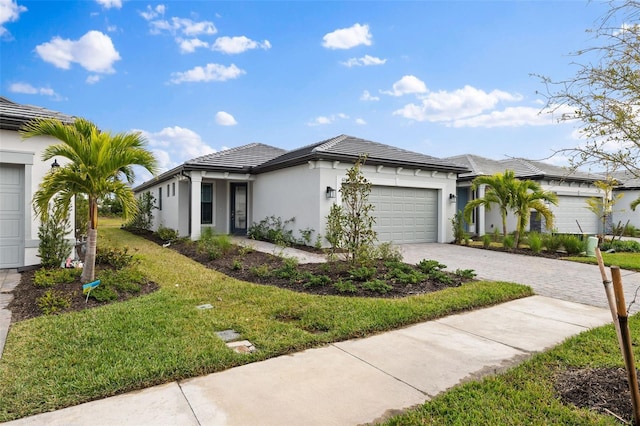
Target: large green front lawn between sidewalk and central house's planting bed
57, 361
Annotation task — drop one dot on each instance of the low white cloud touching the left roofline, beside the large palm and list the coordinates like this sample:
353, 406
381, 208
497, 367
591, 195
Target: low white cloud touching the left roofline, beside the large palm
175, 145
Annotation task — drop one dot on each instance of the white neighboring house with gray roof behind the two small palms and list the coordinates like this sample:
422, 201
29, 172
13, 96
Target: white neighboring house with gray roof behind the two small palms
572, 188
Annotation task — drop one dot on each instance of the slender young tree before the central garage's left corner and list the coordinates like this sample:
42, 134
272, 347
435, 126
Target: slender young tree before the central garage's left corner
351, 225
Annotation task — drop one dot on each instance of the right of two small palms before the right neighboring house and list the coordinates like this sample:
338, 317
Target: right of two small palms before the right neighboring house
530, 196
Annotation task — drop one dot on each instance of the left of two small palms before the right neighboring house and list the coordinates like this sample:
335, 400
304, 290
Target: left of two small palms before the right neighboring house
500, 190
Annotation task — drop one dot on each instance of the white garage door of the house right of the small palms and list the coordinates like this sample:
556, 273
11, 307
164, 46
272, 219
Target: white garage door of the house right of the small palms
572, 209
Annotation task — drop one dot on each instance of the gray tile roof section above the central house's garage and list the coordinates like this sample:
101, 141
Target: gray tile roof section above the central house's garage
349, 148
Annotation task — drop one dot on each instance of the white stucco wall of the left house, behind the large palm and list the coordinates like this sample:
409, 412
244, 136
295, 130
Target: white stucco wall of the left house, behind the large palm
29, 153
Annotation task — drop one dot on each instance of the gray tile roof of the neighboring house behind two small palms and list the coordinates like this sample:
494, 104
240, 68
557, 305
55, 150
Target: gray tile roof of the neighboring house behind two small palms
523, 168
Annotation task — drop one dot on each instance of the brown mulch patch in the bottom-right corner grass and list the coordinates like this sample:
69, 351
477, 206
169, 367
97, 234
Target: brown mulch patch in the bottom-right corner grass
605, 390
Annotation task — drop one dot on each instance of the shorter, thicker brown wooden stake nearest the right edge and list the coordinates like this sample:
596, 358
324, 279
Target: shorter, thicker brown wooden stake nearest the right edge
627, 348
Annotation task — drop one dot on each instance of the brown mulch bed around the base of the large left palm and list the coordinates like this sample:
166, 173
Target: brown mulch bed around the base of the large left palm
25, 295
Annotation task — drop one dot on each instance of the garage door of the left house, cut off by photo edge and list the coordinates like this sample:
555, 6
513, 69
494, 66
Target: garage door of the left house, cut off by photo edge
11, 216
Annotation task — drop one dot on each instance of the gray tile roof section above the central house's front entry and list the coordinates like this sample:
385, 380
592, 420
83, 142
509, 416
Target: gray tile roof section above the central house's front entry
242, 158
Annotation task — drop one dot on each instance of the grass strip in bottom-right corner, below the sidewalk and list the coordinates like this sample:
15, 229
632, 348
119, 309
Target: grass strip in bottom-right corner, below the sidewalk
525, 394
